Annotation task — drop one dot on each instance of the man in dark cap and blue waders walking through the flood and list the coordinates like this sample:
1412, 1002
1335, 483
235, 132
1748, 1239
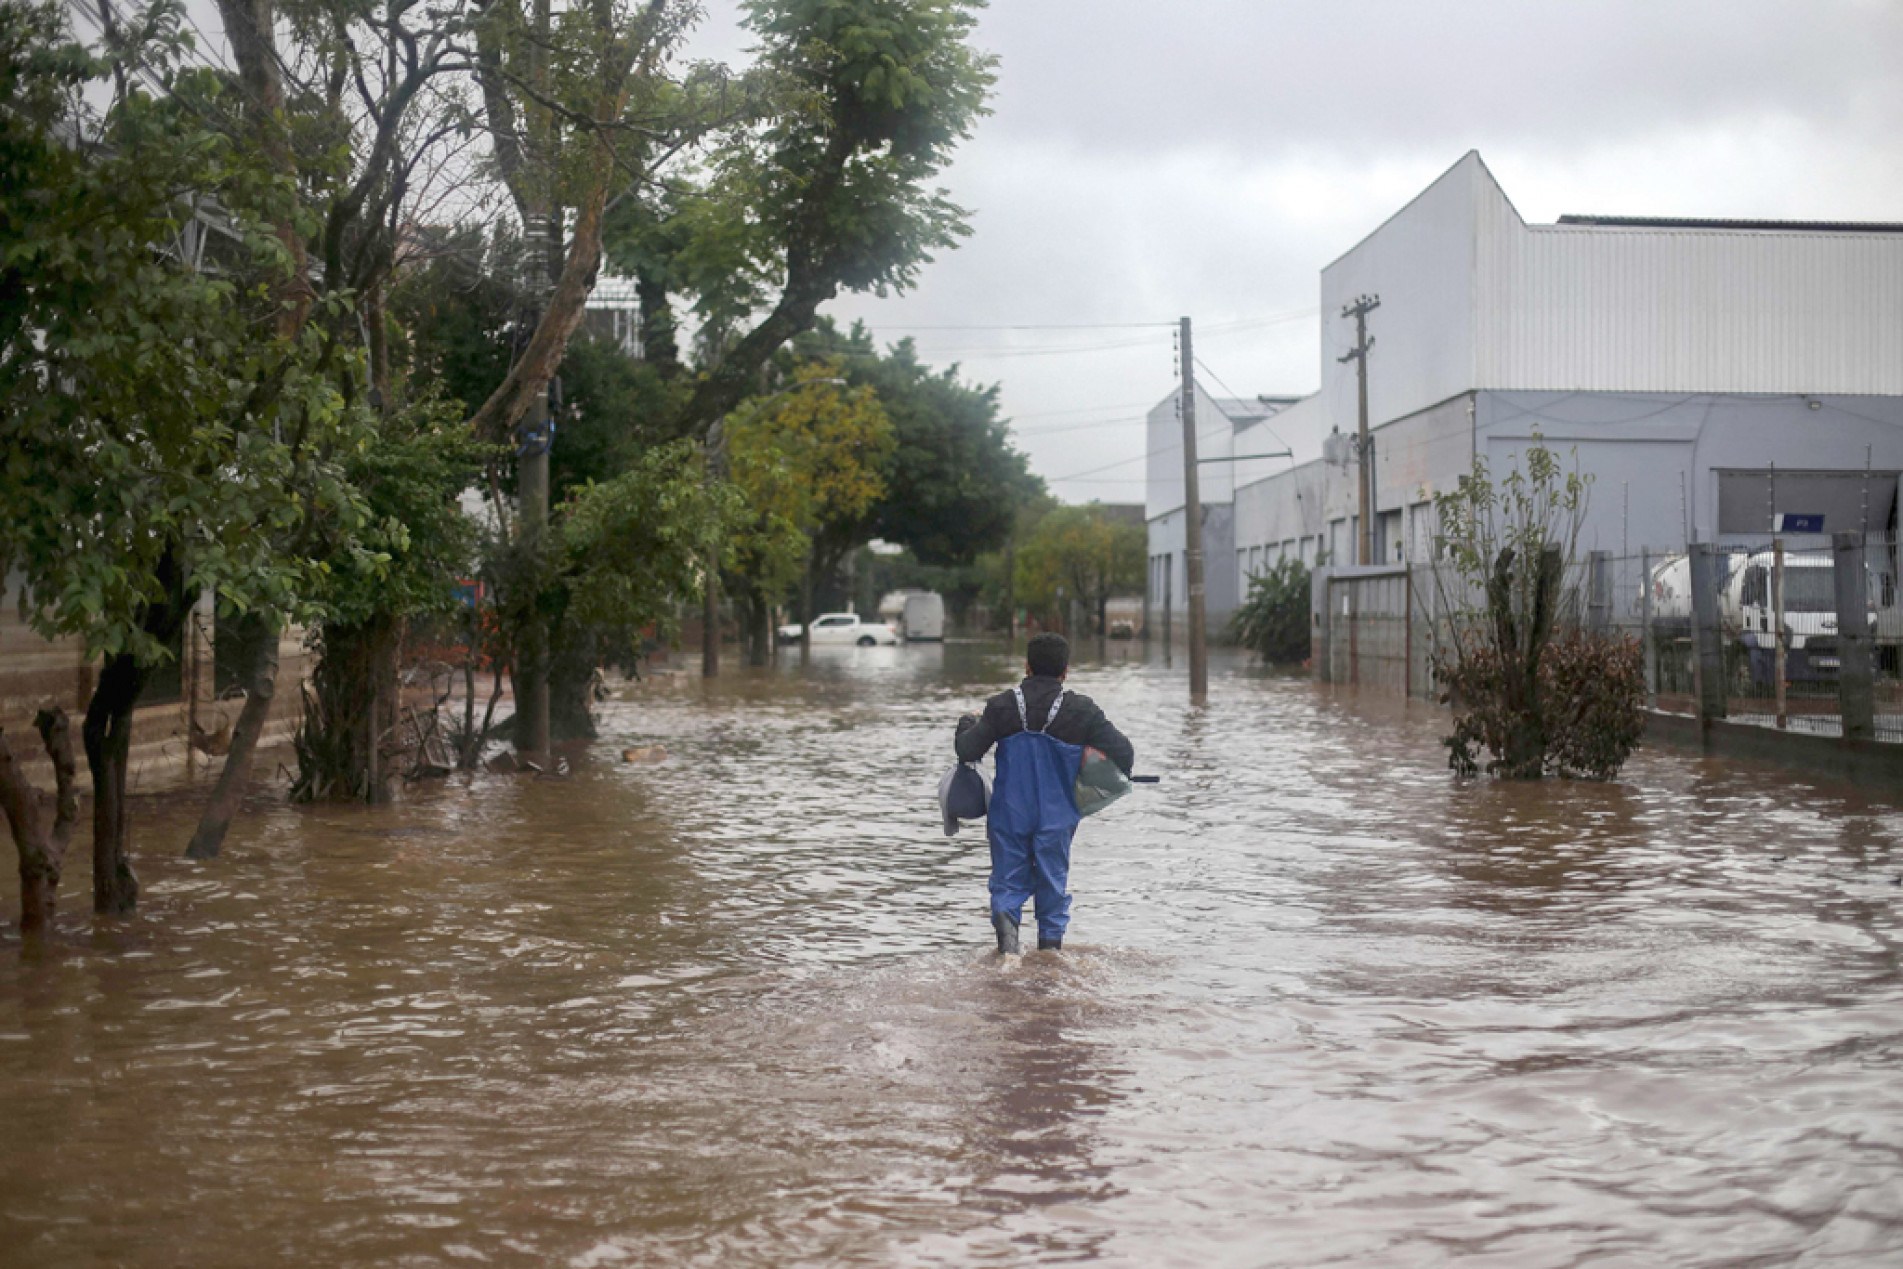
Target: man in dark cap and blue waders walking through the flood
1040, 732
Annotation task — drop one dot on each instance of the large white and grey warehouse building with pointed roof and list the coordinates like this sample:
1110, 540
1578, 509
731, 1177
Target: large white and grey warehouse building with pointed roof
1708, 376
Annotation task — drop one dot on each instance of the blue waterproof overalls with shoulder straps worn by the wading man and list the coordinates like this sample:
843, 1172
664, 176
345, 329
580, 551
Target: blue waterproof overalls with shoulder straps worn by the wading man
1032, 819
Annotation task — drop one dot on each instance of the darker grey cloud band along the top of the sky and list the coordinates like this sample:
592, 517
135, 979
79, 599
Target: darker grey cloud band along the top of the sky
1369, 77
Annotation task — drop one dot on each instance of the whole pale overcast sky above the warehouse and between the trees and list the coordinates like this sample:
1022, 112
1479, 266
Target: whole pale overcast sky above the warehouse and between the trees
1207, 157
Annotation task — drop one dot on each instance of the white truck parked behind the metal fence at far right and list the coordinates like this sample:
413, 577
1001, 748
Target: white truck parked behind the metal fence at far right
1748, 614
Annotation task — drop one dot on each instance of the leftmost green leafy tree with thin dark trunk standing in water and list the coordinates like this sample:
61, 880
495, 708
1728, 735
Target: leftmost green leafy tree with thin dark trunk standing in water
167, 431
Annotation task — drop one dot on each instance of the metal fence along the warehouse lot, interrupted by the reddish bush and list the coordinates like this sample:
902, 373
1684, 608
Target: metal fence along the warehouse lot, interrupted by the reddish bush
1799, 634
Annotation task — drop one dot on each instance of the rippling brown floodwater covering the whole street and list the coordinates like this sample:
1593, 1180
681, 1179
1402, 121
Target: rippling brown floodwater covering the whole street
1320, 1005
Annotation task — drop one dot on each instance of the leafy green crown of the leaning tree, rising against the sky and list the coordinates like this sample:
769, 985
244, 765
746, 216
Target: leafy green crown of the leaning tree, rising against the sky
831, 187
